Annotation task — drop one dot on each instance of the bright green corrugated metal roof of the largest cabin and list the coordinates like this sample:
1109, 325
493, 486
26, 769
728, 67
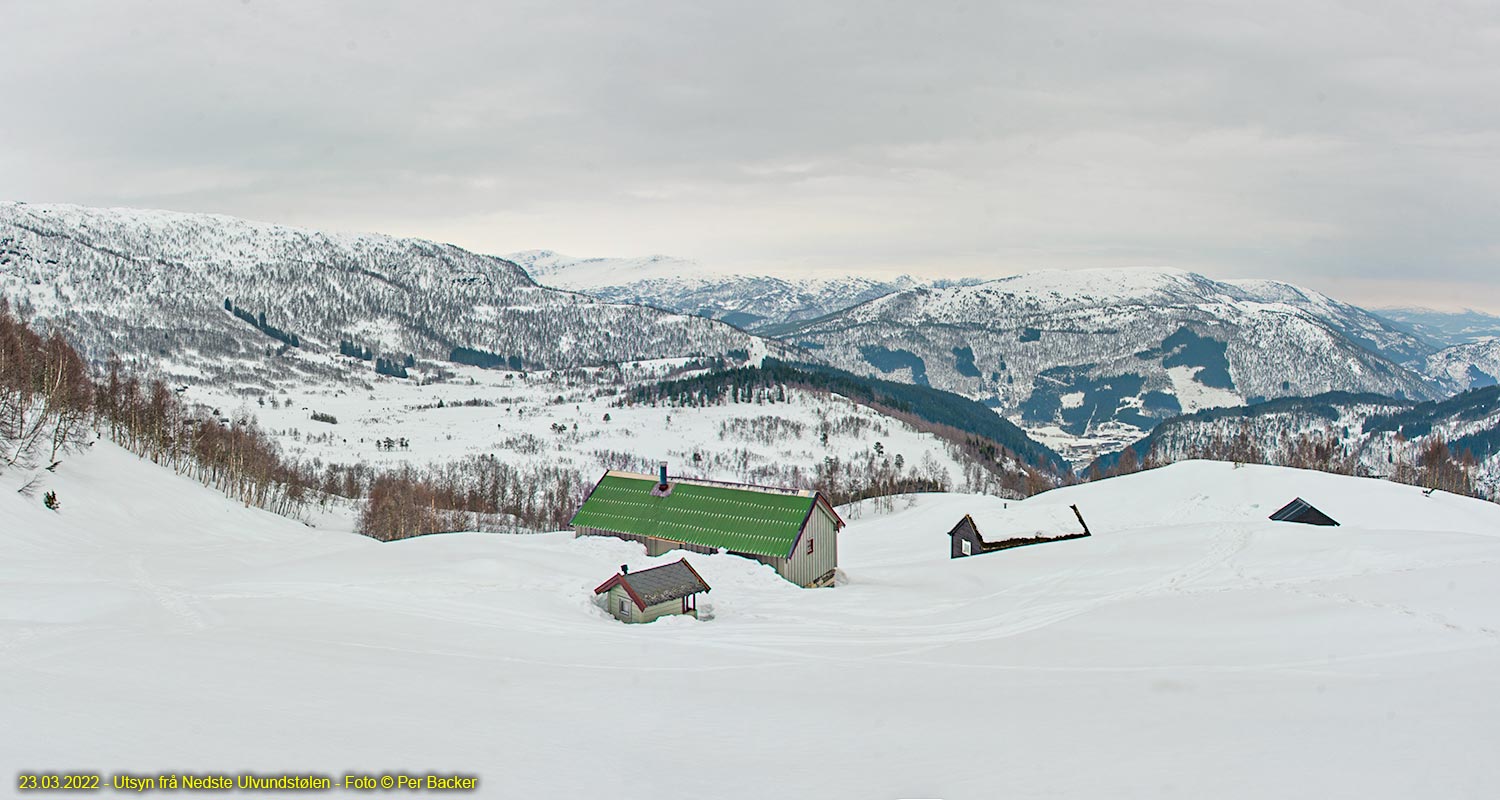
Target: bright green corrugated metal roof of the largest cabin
761, 523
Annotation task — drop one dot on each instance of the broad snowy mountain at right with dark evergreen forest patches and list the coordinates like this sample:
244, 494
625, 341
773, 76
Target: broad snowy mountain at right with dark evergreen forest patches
1093, 358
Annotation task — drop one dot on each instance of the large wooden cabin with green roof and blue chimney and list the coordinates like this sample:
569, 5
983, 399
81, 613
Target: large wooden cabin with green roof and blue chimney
794, 531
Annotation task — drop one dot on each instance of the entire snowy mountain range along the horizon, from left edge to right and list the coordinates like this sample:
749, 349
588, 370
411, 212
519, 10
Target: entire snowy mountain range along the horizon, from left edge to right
1085, 362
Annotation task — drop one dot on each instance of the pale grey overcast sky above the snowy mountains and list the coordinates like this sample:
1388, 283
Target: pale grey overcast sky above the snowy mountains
1354, 148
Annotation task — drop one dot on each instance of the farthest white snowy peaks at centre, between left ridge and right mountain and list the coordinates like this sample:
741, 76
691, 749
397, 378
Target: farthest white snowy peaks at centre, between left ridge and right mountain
754, 302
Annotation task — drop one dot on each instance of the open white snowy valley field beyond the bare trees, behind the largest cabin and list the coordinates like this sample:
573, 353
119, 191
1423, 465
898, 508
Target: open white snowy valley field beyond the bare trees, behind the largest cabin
560, 418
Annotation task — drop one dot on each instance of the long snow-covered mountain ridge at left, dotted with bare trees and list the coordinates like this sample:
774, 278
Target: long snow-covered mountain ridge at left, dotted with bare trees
160, 284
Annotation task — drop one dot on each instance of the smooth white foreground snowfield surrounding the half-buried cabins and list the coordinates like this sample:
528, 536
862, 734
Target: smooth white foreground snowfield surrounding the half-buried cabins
1189, 649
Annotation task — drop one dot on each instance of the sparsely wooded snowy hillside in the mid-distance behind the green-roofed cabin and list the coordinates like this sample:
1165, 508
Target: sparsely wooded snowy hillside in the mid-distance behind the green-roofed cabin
545, 438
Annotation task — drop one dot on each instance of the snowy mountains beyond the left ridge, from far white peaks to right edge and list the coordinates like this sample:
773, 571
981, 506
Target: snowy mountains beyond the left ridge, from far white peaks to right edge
1085, 361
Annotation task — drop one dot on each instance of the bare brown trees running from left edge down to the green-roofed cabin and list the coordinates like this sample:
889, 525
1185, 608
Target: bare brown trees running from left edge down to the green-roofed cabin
52, 403
